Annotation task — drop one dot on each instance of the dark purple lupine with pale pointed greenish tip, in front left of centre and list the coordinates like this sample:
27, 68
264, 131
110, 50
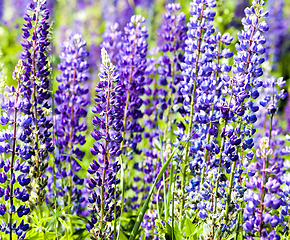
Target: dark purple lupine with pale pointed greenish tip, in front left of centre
103, 170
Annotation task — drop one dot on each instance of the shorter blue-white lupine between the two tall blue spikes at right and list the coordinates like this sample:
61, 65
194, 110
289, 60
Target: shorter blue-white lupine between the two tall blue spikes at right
210, 96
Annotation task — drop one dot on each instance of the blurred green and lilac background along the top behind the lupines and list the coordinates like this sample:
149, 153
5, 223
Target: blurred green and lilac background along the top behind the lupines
91, 18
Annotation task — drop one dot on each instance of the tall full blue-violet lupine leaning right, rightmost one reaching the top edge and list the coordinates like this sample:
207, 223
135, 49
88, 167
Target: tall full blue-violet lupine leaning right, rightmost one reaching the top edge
239, 112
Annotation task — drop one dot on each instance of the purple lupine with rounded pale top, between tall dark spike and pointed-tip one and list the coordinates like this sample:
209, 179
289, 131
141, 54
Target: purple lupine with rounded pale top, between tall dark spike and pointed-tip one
71, 100
